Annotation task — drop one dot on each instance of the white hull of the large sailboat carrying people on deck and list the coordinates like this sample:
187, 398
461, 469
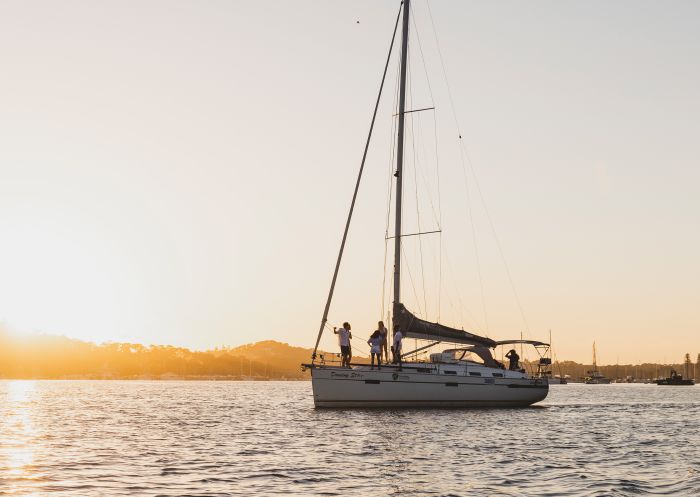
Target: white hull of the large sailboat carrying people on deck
388, 387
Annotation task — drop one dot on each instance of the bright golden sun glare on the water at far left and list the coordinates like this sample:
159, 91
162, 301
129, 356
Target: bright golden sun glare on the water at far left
17, 432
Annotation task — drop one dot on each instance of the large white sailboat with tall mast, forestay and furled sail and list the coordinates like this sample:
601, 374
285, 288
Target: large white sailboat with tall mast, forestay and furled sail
466, 375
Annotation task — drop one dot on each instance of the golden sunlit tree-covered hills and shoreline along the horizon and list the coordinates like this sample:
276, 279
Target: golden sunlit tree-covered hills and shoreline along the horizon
38, 356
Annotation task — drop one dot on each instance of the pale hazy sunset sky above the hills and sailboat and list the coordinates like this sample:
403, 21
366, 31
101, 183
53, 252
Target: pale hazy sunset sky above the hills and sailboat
179, 172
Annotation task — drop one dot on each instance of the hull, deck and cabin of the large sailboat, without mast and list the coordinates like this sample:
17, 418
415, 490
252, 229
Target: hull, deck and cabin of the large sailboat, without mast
458, 377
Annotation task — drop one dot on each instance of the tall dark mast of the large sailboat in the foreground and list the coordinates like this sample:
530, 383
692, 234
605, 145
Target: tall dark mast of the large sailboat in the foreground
399, 165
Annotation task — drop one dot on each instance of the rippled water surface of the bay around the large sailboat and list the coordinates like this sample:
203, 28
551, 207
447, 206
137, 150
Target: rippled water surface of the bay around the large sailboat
97, 438
